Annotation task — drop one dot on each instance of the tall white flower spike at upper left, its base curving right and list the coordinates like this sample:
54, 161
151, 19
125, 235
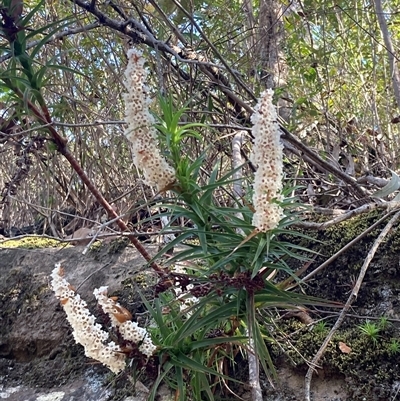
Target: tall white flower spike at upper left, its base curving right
141, 132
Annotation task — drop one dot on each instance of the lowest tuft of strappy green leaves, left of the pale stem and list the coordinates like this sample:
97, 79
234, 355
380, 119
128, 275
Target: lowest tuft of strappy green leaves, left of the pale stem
193, 342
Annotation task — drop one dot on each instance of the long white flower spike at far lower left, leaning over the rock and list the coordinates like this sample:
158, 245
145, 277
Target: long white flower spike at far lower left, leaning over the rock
86, 331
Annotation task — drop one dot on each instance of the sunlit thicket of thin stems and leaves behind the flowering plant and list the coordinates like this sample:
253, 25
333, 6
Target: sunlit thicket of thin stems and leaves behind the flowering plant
327, 61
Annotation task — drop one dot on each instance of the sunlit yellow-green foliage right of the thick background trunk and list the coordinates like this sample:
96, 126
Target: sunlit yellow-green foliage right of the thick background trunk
336, 58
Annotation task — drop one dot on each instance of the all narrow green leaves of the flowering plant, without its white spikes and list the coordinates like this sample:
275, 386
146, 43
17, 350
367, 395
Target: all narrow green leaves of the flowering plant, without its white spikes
229, 275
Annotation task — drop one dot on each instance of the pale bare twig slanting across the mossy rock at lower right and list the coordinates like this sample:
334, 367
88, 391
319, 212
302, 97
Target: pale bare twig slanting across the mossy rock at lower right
350, 300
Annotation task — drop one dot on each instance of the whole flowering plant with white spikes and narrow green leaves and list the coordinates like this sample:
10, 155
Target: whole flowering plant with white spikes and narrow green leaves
232, 252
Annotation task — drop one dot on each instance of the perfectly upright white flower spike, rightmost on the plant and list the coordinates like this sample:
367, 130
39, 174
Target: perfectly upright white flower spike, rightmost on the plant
267, 155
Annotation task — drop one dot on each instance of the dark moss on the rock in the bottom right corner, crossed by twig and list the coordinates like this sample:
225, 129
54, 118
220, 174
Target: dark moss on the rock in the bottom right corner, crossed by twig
369, 365
